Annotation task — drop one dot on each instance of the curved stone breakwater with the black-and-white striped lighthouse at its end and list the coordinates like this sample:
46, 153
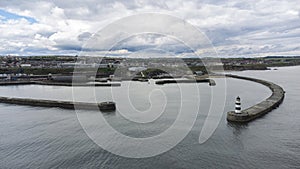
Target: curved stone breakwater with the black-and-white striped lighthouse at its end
261, 108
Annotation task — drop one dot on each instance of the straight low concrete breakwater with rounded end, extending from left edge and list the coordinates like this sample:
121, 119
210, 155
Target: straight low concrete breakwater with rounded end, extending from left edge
110, 106
